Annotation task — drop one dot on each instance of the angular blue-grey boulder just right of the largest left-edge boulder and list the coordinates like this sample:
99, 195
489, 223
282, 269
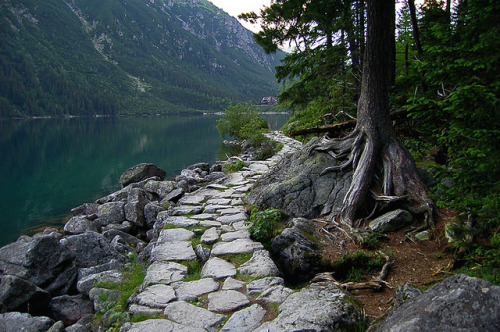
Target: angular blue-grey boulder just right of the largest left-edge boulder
91, 249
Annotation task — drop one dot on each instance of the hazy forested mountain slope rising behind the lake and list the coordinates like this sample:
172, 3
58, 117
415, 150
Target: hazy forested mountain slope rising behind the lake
83, 57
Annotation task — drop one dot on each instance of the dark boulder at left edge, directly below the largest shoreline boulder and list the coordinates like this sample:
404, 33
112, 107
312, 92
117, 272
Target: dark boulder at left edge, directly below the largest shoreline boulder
17, 294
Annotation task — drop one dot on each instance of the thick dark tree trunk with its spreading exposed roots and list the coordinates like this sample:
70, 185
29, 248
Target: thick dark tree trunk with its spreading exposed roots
372, 149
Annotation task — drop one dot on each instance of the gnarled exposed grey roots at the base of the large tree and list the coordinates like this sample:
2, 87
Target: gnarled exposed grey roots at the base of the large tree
380, 165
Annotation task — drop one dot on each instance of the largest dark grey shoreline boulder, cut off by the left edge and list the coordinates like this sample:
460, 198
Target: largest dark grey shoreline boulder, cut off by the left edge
41, 261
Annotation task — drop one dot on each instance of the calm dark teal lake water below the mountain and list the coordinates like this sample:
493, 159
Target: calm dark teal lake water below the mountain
49, 166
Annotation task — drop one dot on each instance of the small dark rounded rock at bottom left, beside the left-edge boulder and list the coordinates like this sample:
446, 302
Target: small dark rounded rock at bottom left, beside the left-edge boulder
70, 309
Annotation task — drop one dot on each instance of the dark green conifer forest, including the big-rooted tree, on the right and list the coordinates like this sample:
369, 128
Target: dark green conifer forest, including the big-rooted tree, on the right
433, 63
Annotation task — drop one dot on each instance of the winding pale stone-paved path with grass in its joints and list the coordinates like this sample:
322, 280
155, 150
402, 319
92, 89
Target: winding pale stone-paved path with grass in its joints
205, 272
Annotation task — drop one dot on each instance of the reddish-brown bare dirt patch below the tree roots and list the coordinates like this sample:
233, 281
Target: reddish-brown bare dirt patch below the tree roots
419, 263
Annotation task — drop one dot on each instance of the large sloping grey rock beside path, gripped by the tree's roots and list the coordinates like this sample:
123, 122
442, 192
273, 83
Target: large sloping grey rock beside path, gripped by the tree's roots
296, 186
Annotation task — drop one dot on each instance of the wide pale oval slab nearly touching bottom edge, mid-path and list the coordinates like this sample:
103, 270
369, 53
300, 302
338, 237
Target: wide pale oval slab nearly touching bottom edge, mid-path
191, 315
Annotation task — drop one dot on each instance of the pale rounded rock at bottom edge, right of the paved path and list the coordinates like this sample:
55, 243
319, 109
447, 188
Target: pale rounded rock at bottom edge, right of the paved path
318, 307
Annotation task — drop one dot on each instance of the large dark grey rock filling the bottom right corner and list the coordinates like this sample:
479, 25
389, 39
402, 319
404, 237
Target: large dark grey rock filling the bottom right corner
460, 303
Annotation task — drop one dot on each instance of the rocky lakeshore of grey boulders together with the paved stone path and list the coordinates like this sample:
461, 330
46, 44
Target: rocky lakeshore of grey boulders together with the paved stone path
204, 271
